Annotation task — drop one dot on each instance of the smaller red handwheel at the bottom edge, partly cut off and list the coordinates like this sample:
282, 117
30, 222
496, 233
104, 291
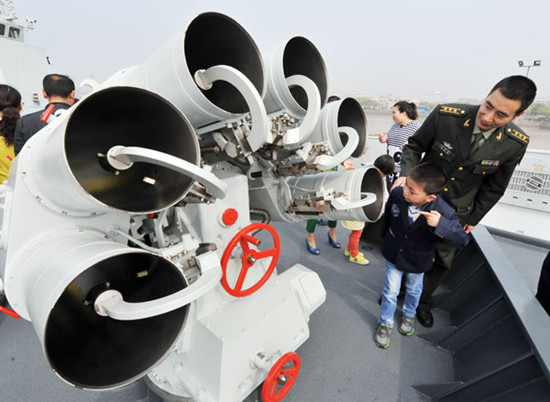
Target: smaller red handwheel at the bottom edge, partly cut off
279, 375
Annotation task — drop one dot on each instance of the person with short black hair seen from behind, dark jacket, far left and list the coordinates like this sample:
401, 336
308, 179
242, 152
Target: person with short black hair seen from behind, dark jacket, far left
59, 91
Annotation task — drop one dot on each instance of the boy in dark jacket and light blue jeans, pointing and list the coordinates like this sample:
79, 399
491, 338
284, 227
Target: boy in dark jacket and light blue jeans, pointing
414, 219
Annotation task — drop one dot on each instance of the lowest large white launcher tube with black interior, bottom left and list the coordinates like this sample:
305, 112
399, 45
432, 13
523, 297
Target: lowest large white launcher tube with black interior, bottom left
57, 281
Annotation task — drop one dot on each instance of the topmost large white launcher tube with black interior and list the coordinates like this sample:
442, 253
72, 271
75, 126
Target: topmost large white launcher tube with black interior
211, 39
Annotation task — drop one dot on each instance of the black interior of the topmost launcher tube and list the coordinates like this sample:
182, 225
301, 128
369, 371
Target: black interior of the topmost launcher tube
214, 39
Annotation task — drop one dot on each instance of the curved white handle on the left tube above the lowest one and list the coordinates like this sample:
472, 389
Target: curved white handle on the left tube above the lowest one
122, 158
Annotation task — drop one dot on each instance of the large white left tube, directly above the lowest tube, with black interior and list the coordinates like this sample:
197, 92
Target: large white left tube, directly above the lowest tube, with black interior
66, 167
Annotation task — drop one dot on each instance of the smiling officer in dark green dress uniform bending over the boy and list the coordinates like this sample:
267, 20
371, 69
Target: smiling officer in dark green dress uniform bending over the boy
478, 147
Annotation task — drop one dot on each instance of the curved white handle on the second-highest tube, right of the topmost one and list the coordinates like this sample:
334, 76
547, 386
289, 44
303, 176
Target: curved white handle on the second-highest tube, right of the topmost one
300, 134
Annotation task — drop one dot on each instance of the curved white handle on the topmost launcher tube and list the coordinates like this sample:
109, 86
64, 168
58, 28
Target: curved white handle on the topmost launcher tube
259, 133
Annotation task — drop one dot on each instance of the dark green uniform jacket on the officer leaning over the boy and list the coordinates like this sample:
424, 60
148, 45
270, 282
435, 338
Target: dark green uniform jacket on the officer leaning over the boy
475, 183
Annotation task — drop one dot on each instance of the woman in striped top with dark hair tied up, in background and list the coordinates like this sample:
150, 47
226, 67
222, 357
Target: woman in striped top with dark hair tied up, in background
405, 117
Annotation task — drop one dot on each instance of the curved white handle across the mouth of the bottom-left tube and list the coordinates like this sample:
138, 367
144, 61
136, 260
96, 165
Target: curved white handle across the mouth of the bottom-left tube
111, 302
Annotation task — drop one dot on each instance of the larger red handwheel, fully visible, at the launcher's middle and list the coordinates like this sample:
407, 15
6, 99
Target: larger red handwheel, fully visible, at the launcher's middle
249, 257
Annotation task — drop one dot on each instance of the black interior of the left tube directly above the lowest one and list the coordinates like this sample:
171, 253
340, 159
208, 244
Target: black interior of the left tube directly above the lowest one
129, 117
